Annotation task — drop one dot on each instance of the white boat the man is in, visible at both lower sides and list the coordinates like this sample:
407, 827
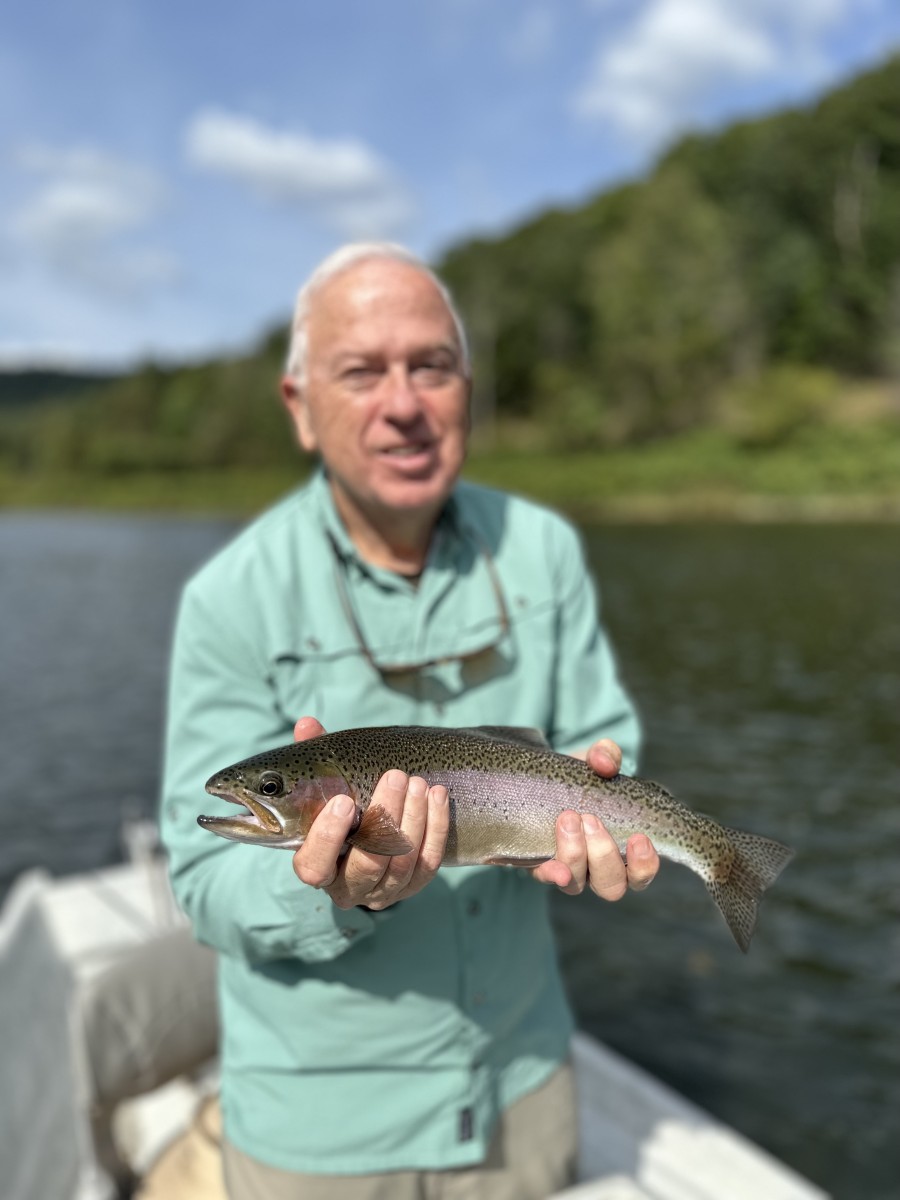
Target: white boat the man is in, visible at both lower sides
110, 1058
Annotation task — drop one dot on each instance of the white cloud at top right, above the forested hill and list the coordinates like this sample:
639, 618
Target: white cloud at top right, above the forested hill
655, 77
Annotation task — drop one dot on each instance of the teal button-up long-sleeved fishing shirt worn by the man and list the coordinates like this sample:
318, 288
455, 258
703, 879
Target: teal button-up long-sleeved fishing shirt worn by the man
355, 1041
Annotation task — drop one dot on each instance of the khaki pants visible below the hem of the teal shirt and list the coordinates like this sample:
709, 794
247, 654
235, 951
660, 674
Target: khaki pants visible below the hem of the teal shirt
532, 1156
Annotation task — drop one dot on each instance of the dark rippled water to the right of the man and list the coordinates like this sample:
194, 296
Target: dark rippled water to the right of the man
767, 667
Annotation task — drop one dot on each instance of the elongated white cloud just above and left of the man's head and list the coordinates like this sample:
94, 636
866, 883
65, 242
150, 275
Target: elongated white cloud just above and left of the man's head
343, 181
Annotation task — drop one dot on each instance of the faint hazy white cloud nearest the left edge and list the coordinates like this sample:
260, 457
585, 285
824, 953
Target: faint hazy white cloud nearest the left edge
82, 218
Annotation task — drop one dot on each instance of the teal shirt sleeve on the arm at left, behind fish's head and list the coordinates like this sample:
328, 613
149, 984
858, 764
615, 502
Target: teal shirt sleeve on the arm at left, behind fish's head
242, 902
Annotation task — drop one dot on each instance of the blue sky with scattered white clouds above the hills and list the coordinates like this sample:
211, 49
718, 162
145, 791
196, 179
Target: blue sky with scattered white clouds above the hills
171, 172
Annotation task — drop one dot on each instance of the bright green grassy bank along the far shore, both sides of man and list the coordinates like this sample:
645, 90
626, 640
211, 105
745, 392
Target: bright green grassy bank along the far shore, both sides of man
825, 475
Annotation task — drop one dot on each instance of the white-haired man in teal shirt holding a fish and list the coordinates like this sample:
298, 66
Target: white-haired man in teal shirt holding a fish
371, 1047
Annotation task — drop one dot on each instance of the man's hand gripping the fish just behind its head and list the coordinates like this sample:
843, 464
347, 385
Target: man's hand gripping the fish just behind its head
361, 878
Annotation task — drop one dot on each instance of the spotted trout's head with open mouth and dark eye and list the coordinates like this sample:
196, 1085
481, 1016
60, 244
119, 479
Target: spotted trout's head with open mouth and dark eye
283, 800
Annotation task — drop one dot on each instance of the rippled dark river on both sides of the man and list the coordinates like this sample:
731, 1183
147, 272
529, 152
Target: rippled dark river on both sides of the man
766, 662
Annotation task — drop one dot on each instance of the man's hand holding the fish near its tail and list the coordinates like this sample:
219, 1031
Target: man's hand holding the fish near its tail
586, 854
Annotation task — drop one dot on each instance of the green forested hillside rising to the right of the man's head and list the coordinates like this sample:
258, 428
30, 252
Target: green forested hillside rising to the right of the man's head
740, 281
